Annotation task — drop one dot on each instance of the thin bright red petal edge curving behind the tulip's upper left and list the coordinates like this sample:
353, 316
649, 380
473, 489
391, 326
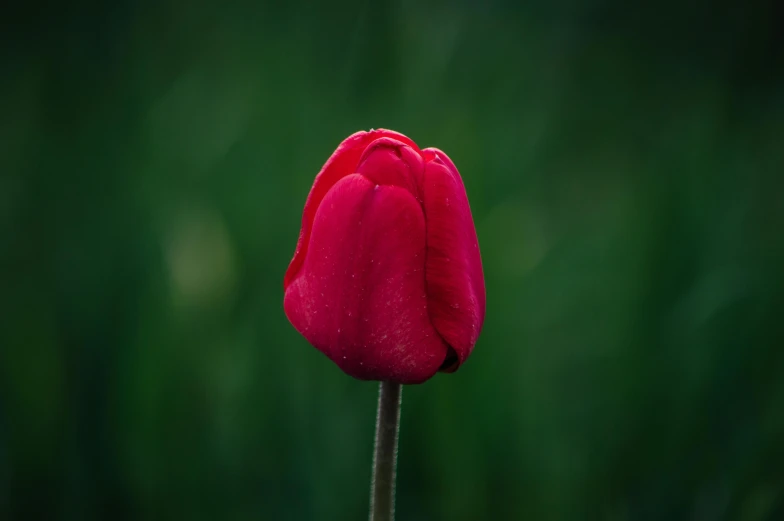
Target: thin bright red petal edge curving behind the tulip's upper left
342, 163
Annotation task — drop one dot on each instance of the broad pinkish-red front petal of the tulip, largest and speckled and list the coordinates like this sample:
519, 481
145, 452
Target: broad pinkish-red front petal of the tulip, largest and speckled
359, 296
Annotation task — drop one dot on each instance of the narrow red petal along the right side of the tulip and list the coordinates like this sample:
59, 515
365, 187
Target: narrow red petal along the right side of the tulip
455, 283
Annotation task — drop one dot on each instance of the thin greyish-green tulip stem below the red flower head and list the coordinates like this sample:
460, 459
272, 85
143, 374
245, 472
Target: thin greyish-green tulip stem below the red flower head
382, 487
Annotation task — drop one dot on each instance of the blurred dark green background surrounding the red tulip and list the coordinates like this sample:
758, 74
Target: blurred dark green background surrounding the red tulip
624, 166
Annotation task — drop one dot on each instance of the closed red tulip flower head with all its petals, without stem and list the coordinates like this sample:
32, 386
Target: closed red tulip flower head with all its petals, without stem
387, 278
